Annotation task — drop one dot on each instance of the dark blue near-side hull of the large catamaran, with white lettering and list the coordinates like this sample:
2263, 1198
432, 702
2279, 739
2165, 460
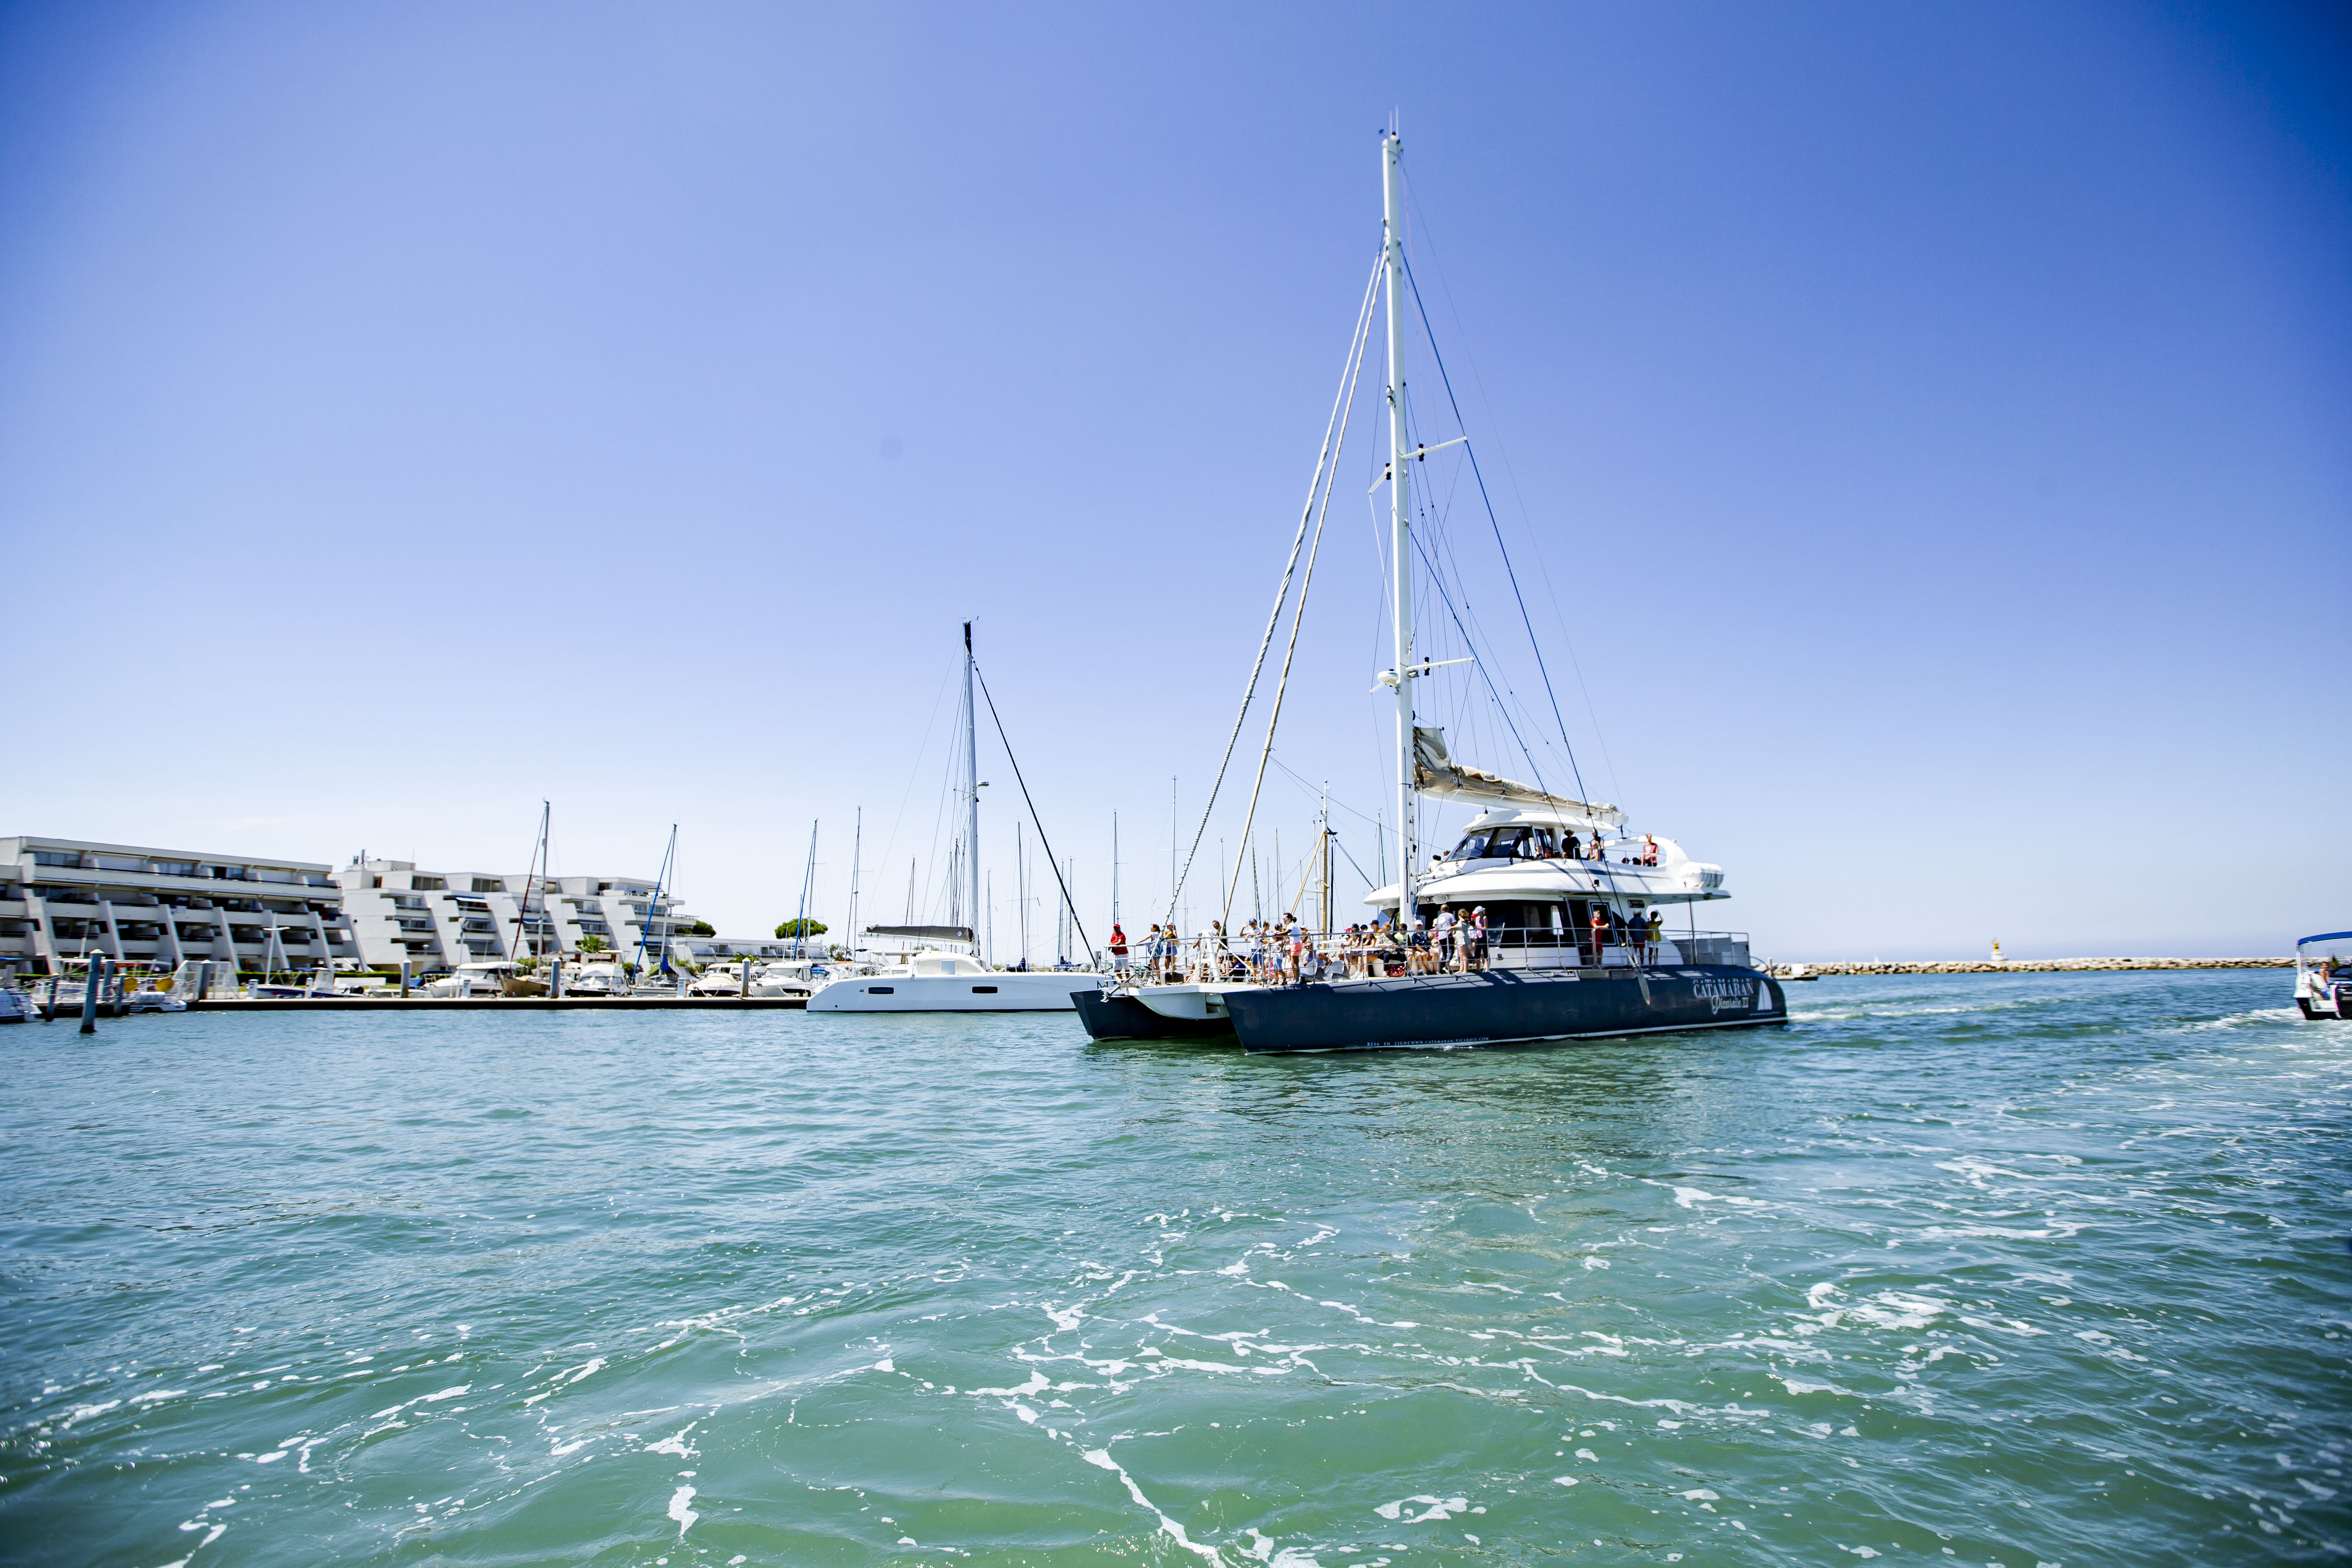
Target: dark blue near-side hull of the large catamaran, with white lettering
1502, 1005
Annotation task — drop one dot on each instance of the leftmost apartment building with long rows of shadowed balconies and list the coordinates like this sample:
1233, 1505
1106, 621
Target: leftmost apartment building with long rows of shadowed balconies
67, 899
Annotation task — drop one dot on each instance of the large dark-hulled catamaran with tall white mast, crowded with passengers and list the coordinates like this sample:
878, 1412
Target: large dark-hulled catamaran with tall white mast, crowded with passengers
1575, 911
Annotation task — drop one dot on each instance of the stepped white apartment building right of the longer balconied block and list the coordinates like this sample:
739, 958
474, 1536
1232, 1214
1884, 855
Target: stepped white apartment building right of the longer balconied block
441, 920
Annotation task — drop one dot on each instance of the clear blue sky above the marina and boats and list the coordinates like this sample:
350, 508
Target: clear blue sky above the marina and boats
1923, 434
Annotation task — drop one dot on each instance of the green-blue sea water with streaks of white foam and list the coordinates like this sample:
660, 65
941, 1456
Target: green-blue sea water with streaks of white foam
1986, 1271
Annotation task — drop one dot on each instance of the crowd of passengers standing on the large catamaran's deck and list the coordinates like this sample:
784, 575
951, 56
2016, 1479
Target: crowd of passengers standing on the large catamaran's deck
1285, 953
